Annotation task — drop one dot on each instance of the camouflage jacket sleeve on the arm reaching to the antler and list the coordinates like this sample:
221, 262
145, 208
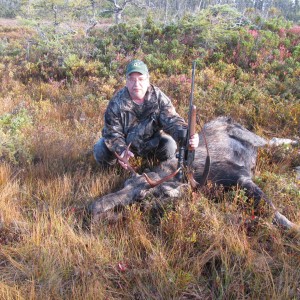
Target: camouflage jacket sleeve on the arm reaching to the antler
113, 129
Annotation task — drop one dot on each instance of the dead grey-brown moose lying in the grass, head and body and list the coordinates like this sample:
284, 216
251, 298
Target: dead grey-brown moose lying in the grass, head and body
233, 153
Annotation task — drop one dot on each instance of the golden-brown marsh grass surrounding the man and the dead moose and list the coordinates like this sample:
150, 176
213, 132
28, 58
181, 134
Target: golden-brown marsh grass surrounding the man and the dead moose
204, 246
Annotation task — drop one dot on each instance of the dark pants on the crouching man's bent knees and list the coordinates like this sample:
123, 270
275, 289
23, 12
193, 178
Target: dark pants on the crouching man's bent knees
166, 149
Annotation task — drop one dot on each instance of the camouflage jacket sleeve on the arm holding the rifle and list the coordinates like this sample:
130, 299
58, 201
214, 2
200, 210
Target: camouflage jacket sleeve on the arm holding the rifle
169, 118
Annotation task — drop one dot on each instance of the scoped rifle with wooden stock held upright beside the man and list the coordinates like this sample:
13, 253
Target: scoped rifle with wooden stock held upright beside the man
186, 153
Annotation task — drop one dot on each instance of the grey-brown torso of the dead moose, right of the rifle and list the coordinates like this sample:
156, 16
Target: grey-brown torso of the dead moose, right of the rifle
233, 153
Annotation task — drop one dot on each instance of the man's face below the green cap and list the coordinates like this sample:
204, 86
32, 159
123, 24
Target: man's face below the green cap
137, 85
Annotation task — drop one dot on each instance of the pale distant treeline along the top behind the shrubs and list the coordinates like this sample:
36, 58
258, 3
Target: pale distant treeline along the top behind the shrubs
125, 10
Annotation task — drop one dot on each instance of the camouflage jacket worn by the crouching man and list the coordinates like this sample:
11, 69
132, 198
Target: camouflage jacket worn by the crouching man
127, 122
